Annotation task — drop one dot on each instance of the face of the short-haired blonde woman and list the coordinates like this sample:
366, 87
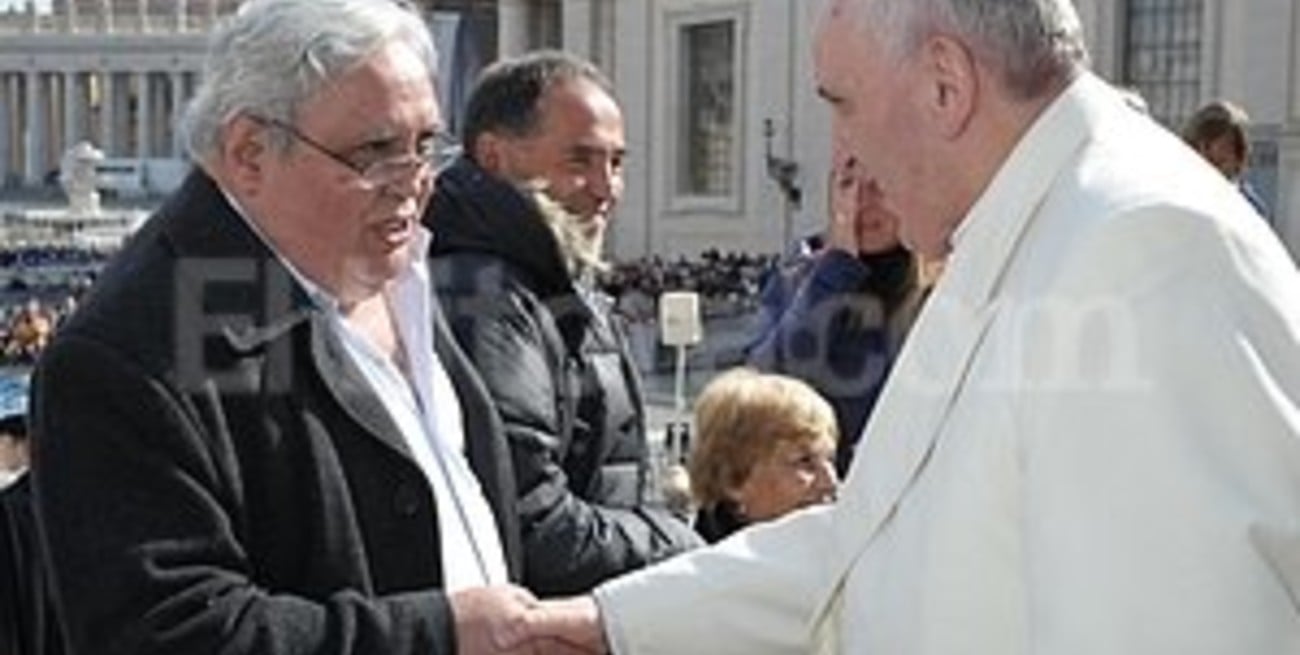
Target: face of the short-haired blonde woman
798, 474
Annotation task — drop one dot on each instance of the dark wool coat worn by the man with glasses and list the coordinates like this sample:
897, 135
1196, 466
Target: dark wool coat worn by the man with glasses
214, 475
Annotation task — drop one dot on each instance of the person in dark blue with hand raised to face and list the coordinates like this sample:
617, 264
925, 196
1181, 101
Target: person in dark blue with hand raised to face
837, 315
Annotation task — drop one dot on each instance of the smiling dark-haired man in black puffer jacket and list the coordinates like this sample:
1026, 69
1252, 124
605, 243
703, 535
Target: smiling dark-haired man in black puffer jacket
518, 225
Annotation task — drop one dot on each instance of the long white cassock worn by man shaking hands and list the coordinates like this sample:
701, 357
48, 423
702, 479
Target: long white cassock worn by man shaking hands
1090, 444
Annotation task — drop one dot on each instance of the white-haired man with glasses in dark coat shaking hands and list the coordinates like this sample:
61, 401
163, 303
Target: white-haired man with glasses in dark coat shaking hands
257, 436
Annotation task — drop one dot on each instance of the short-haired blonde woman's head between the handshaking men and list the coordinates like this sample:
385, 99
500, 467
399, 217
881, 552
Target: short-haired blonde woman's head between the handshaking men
765, 448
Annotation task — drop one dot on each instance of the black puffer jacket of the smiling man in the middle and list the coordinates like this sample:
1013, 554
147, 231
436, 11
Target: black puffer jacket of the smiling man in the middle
558, 367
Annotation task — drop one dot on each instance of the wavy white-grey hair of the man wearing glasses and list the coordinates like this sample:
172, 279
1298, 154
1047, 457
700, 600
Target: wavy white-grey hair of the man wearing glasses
274, 55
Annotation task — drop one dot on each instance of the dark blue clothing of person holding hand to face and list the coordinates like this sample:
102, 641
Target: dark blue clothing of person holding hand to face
826, 320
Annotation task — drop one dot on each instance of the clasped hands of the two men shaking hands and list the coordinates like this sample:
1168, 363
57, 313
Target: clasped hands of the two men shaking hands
509, 621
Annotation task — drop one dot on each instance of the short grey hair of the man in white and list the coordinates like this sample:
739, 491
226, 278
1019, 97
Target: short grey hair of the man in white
1034, 44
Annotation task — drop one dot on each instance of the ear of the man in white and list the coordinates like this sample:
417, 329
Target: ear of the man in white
955, 84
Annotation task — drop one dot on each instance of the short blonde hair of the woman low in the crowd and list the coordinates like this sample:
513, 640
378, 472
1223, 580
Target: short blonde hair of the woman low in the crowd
740, 418
